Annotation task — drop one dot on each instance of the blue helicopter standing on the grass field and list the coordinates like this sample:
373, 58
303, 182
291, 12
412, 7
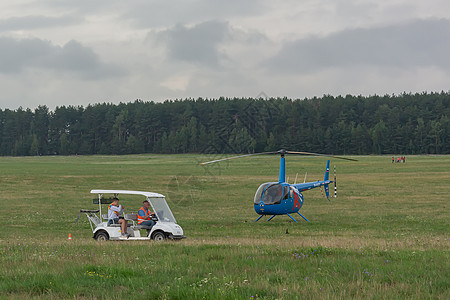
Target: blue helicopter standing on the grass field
283, 198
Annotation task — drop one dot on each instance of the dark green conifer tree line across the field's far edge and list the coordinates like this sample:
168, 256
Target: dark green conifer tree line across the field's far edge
391, 124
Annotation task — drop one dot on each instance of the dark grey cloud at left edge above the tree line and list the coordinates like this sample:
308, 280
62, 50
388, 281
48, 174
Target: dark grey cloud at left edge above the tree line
18, 55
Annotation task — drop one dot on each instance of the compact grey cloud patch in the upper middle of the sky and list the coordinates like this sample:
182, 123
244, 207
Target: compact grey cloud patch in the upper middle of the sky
198, 44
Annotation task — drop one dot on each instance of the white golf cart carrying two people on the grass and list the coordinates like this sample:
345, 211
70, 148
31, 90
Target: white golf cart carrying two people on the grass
165, 226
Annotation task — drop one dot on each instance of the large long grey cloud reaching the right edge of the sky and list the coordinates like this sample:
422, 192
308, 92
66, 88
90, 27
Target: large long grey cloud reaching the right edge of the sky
418, 43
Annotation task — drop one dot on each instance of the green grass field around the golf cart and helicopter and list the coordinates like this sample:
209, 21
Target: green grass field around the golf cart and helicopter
386, 236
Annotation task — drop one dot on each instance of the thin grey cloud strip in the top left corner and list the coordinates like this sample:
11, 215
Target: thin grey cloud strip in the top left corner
34, 22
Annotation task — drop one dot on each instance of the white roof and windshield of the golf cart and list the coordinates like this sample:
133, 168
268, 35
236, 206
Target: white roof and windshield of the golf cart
157, 202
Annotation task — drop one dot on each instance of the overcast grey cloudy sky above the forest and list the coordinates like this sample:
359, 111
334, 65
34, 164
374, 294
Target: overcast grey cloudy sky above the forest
77, 52
